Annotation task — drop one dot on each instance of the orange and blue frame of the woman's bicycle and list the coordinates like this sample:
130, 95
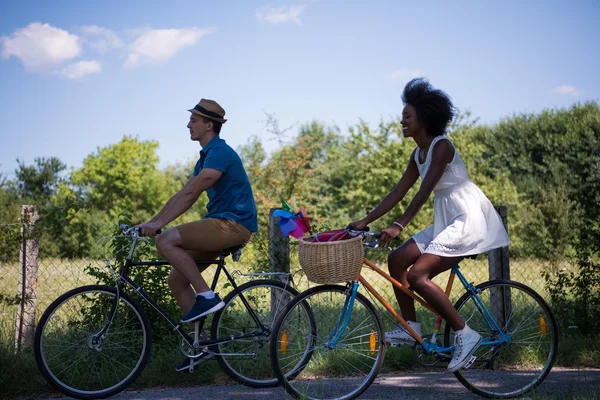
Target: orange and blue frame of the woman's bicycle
430, 346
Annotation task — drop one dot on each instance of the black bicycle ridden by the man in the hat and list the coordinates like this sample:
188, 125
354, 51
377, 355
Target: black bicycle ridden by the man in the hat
93, 341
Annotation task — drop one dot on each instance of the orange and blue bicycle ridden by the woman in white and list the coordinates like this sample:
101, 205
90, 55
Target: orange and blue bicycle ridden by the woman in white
346, 345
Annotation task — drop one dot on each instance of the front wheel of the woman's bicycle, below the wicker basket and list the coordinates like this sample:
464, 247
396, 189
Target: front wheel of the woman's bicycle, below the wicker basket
339, 357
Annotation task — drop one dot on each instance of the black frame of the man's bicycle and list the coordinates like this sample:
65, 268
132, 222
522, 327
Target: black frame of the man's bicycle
124, 279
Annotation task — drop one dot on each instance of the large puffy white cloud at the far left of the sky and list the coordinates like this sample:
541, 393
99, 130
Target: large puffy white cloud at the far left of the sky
40, 46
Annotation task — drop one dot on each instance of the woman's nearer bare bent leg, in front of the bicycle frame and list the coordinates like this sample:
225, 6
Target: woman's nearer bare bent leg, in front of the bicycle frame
426, 267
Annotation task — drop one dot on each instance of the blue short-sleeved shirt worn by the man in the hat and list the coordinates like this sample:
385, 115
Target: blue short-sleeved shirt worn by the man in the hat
231, 196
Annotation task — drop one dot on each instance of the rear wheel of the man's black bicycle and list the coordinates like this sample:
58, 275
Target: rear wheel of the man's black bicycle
247, 360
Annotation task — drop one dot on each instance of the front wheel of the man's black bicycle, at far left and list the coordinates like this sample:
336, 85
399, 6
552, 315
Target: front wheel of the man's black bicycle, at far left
80, 361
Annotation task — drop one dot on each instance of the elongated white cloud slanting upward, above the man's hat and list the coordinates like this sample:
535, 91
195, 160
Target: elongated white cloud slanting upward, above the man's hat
159, 45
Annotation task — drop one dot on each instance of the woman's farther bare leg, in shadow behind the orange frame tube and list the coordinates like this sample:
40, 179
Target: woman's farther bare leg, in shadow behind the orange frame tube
398, 263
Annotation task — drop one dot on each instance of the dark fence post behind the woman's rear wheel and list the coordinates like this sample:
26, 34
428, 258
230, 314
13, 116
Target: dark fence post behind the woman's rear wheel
499, 268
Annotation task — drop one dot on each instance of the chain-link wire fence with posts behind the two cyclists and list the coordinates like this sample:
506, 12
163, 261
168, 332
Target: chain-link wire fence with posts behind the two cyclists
38, 264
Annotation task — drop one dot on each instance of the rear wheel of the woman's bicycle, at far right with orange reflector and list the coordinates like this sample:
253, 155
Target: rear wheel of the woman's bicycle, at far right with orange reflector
519, 364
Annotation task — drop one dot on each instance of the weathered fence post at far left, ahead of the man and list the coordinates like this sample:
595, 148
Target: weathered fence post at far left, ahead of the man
28, 258
